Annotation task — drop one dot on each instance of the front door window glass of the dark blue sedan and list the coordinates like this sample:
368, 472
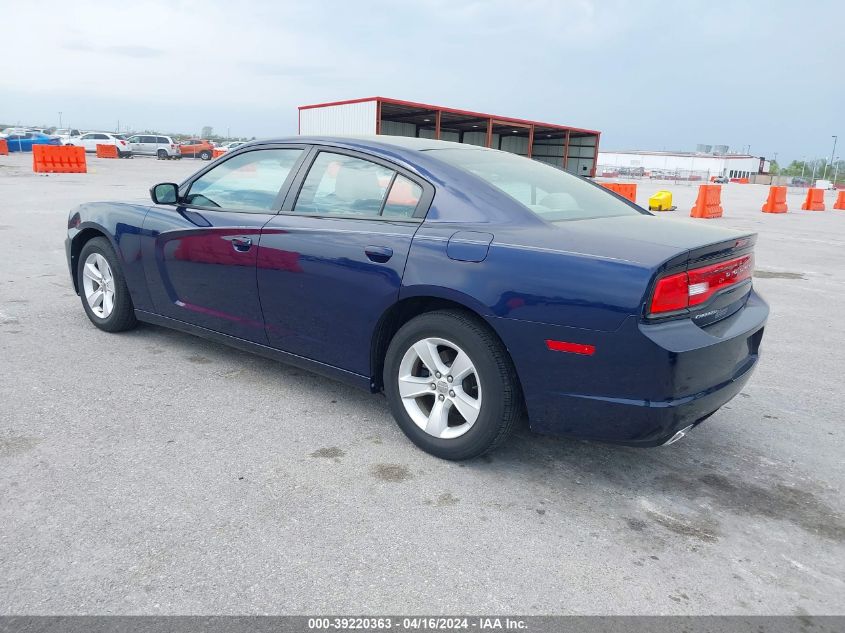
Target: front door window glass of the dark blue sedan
248, 182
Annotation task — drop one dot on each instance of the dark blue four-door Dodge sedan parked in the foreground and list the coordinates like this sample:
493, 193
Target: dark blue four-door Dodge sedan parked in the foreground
471, 286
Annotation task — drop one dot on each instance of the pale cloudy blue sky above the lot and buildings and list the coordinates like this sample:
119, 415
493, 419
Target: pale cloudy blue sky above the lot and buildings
649, 75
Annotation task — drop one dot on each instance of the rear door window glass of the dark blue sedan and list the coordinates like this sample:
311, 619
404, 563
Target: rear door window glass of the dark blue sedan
342, 185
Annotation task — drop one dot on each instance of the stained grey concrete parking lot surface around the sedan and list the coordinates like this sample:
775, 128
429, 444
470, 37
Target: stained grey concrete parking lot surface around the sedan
154, 472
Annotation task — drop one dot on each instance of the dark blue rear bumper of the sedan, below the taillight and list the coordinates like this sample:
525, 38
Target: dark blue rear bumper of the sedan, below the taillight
643, 384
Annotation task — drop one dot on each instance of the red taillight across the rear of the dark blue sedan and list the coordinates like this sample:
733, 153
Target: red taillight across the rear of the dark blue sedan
696, 286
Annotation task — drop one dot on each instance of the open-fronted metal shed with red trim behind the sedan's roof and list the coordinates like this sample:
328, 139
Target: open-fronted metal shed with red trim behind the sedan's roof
570, 148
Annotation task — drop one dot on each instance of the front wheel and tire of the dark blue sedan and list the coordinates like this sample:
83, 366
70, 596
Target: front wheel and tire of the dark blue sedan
102, 287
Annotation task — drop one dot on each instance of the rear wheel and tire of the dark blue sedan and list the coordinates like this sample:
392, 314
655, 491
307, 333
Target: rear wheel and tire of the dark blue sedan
451, 385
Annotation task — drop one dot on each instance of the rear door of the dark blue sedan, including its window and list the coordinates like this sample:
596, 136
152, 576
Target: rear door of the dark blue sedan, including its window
332, 261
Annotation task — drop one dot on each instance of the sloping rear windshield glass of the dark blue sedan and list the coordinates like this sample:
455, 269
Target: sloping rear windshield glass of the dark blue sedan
551, 193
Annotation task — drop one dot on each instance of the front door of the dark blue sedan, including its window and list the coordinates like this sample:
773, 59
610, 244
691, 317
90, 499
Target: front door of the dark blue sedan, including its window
200, 254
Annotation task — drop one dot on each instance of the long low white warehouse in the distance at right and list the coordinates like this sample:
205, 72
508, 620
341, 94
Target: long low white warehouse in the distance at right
695, 165
